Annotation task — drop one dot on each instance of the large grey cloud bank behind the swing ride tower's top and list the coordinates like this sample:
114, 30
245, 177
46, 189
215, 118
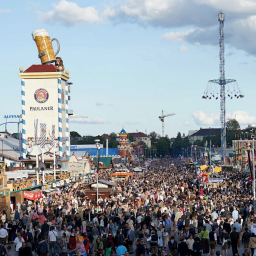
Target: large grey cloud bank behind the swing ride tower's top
200, 16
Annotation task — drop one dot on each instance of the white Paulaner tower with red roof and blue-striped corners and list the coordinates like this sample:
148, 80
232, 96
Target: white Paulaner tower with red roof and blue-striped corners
45, 97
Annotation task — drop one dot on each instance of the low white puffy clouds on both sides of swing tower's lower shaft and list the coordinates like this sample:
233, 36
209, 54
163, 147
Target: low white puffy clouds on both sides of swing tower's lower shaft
243, 117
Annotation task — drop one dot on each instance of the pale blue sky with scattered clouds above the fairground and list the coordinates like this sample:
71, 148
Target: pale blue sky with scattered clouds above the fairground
131, 59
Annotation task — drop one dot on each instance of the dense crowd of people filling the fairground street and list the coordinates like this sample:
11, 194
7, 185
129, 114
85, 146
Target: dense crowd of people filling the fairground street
165, 210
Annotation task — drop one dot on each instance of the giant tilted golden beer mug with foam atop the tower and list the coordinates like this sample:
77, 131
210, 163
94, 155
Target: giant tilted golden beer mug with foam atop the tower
44, 45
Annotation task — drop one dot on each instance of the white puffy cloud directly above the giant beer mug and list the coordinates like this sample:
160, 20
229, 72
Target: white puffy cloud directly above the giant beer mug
69, 13
